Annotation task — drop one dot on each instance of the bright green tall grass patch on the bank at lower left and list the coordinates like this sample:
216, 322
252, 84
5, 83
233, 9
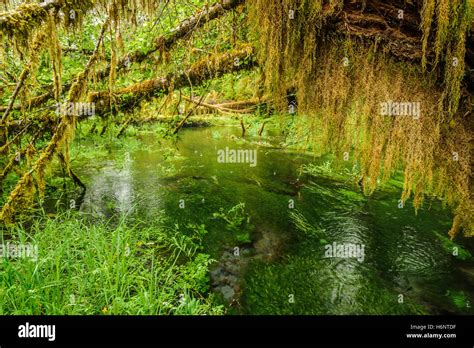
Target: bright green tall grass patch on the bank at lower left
85, 268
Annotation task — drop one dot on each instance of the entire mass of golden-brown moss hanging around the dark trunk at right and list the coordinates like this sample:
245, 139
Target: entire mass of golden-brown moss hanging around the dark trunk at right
341, 82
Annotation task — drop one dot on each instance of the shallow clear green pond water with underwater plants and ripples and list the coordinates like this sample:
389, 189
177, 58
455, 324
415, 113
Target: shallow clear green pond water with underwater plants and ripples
280, 266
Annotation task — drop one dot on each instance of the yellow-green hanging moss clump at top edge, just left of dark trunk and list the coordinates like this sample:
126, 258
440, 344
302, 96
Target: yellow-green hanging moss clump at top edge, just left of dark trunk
288, 32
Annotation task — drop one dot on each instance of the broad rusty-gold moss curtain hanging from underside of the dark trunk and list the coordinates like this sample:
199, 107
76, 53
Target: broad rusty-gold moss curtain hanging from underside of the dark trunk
349, 120
